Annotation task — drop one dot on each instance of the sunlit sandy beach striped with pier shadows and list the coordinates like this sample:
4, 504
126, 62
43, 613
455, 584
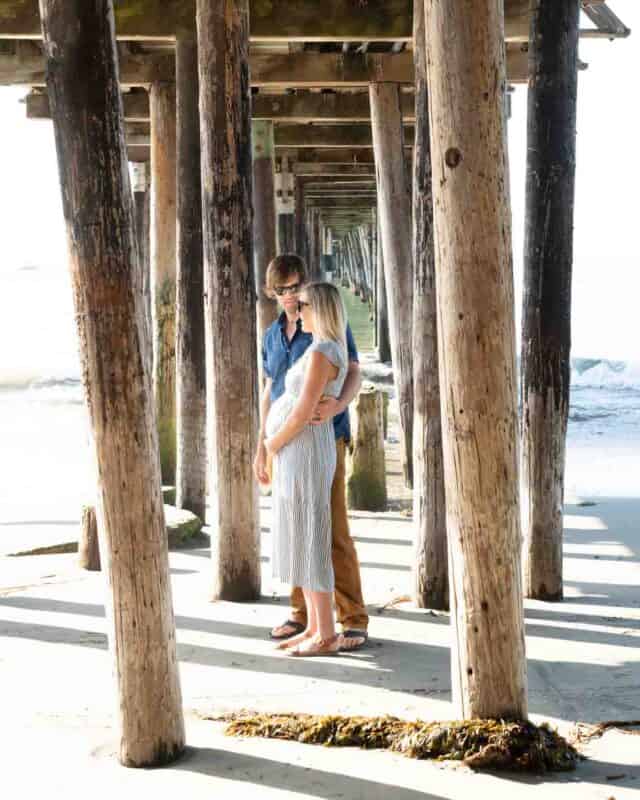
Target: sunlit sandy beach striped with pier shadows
583, 653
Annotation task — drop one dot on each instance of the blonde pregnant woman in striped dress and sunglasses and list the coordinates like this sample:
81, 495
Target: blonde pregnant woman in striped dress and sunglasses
304, 462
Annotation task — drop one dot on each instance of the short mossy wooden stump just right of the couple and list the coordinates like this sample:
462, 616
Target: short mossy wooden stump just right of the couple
366, 479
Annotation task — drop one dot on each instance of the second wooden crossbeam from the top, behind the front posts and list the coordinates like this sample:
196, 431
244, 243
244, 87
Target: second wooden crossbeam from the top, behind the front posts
22, 63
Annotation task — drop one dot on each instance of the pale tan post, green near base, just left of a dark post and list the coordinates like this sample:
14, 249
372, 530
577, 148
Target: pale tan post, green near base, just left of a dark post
162, 107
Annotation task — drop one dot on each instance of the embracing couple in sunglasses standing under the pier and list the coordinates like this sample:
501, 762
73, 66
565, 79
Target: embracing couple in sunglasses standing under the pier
311, 371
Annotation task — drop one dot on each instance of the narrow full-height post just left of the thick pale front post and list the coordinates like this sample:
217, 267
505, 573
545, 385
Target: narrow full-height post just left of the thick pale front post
430, 572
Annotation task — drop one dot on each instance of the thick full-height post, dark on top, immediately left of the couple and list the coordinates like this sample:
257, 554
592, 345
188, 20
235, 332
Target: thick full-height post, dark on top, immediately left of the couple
225, 132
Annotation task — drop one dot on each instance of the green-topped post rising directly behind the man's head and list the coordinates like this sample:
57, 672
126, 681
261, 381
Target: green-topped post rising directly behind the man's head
264, 221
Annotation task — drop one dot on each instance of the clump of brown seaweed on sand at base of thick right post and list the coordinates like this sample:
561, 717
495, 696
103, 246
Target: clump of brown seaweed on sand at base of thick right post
478, 743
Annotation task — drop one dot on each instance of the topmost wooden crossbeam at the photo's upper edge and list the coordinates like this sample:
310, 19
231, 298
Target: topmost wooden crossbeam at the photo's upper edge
277, 20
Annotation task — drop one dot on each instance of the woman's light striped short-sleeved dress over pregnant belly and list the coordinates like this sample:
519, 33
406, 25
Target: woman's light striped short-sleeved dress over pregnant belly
303, 472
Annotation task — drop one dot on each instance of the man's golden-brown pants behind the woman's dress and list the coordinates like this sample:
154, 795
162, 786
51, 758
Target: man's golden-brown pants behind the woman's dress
351, 612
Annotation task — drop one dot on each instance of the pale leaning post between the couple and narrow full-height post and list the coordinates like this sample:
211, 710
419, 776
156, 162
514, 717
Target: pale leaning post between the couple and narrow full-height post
395, 225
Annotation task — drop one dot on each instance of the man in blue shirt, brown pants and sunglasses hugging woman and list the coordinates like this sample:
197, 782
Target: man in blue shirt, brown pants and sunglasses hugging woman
284, 343
